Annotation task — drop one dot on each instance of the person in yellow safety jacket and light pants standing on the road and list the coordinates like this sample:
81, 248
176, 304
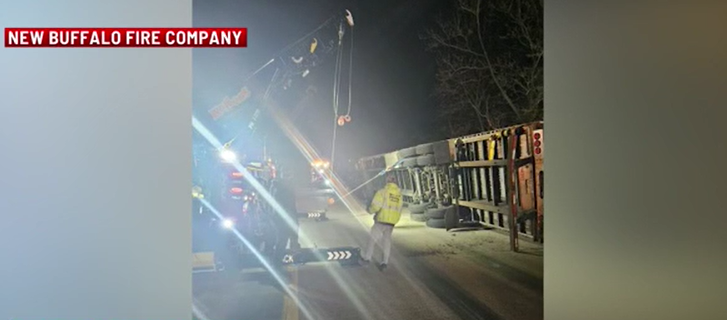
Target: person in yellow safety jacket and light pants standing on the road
386, 208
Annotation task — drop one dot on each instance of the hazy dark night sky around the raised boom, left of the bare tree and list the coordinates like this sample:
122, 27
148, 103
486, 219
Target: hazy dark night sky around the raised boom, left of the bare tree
393, 75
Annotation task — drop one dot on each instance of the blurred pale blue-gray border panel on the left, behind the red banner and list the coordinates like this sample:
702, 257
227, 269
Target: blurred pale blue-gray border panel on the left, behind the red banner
95, 168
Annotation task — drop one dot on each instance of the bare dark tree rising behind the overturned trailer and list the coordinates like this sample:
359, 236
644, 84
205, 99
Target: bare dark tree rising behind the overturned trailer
489, 64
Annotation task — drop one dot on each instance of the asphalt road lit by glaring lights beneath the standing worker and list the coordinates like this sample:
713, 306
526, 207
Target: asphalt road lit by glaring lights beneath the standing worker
432, 275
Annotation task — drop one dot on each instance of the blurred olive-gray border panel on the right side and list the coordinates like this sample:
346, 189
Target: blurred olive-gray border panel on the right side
634, 110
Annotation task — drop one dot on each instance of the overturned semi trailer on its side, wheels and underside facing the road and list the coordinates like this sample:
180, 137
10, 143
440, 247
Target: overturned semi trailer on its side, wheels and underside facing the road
493, 179
